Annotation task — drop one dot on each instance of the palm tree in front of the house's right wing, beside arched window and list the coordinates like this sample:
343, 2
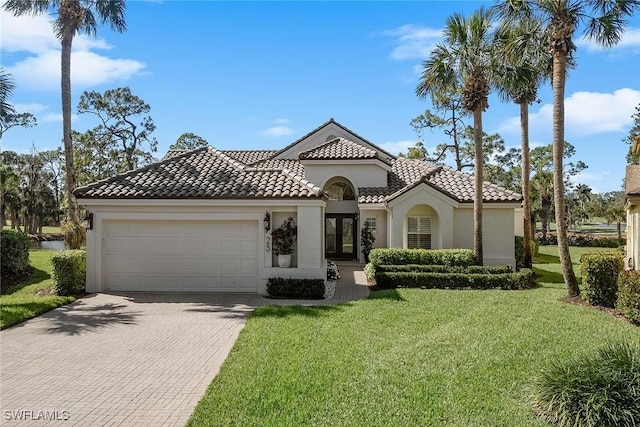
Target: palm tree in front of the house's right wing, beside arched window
463, 60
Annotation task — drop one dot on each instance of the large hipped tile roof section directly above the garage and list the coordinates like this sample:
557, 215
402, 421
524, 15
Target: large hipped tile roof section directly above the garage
204, 173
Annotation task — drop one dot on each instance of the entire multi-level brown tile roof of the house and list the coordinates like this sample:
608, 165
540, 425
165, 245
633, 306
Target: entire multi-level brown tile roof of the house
209, 173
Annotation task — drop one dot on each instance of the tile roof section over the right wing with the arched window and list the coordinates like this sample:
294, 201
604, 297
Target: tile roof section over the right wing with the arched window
406, 174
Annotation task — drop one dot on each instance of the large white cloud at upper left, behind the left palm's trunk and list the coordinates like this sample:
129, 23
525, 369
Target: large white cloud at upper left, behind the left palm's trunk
40, 70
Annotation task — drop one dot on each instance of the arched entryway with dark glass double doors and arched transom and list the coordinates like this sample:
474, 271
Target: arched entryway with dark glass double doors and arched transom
341, 219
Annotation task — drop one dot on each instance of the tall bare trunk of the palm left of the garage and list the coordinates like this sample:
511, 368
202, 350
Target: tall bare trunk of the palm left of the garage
67, 39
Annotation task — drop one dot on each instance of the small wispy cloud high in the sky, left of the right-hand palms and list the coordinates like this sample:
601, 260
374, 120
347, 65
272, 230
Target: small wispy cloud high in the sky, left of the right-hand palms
413, 41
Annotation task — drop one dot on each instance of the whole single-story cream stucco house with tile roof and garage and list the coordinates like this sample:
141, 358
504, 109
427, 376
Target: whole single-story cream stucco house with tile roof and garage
200, 220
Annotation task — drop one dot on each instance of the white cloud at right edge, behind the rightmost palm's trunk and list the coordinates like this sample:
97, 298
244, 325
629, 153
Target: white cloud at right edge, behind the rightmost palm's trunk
586, 113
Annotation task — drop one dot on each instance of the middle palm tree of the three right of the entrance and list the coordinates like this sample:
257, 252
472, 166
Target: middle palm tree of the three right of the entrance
526, 63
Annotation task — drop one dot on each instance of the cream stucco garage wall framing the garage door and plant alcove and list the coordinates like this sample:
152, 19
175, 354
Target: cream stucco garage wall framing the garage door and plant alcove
309, 214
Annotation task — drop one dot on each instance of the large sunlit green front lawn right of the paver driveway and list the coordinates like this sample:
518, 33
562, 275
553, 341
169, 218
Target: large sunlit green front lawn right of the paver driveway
403, 357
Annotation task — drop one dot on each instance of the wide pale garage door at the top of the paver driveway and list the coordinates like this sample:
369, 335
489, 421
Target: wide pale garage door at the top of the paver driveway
186, 256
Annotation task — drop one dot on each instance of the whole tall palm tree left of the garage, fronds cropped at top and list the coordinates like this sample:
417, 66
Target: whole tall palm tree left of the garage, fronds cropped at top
73, 17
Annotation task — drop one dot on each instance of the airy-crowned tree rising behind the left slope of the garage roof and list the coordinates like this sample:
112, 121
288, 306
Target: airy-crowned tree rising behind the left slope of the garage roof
118, 112
